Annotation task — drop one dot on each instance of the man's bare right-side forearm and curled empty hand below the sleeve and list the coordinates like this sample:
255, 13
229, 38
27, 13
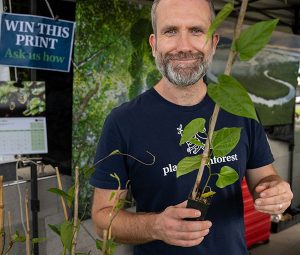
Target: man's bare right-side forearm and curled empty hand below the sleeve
271, 194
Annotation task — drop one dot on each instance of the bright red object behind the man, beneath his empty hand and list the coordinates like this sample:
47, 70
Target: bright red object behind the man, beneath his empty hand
257, 224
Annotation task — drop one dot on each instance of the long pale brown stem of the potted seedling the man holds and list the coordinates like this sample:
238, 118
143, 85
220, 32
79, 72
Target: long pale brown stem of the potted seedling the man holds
229, 65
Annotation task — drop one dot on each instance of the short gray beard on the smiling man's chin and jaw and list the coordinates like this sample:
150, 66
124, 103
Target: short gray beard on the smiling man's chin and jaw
182, 76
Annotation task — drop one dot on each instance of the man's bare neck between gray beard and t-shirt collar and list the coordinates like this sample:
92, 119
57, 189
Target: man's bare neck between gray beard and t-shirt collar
185, 96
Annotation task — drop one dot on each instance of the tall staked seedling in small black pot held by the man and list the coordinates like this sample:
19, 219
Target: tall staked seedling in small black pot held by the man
232, 97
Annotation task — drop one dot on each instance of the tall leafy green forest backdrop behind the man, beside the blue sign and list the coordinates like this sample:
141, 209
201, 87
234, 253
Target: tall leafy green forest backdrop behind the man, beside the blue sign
108, 42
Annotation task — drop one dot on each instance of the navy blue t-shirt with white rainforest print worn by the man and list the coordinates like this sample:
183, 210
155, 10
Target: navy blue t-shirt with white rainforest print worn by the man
151, 123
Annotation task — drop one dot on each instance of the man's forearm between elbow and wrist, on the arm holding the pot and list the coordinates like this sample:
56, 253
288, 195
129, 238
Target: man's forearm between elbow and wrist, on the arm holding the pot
127, 227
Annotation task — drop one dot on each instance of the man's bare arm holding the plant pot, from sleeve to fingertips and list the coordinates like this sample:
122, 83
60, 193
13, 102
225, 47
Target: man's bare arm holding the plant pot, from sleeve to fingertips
137, 228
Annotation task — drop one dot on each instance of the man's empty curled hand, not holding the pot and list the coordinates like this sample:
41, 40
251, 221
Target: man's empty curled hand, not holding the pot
274, 197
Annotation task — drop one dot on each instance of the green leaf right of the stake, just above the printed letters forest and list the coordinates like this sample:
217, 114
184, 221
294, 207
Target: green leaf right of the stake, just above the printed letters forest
225, 140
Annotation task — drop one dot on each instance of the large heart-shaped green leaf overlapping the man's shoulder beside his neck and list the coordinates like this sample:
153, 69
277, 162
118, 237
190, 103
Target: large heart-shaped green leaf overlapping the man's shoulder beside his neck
231, 96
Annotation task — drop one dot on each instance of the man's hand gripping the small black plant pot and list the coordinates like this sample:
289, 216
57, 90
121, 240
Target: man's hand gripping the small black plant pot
171, 227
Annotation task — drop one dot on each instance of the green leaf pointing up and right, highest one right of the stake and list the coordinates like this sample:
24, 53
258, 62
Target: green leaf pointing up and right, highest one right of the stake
254, 38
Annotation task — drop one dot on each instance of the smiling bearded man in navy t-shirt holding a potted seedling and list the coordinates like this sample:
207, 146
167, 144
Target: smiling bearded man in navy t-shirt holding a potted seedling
153, 122
